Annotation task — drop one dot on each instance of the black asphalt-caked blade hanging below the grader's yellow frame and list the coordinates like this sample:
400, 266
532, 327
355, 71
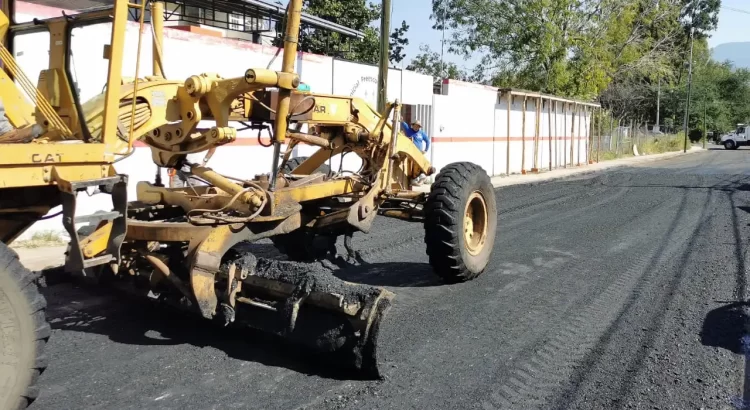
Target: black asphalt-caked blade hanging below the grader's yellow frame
349, 341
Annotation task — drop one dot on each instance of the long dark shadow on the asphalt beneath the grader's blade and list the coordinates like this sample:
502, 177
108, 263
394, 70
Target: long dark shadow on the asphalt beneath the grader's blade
132, 321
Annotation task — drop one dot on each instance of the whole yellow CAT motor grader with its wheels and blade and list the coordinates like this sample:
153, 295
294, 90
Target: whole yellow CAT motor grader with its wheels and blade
183, 246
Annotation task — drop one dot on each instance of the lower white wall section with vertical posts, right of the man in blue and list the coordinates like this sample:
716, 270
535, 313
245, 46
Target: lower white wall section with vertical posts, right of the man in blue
471, 122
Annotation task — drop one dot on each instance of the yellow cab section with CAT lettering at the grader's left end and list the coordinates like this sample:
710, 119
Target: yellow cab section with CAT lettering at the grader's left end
33, 164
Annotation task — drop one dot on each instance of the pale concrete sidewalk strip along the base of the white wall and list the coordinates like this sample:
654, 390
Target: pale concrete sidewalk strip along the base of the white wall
569, 173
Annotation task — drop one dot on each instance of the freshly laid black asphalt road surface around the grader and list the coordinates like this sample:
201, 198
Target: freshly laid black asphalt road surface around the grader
620, 289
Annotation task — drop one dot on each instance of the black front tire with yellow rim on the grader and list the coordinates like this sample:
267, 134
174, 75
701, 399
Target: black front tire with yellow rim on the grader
460, 222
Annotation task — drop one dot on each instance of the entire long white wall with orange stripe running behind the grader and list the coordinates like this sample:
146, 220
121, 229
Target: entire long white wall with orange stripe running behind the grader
468, 123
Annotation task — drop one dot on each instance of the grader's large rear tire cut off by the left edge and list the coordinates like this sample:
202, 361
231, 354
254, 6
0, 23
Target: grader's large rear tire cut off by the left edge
23, 332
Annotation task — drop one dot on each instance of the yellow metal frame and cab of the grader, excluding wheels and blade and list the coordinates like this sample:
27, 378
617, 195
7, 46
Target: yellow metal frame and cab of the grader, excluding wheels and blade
165, 115
